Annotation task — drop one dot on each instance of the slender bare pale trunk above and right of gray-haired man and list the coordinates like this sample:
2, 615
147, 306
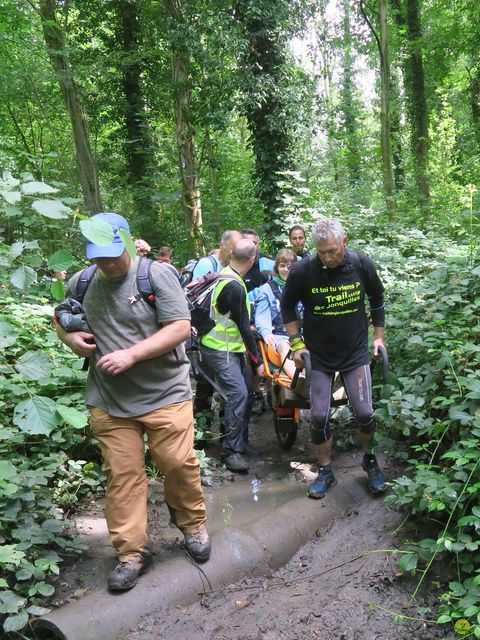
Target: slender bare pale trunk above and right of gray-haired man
388, 183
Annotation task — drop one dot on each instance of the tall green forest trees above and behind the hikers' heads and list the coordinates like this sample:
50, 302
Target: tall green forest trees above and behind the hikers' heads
190, 118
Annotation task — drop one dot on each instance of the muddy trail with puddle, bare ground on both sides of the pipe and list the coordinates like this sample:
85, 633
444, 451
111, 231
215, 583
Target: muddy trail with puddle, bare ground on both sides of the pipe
342, 585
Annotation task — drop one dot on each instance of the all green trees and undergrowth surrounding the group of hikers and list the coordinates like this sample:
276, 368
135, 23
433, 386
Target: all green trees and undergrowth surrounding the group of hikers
190, 118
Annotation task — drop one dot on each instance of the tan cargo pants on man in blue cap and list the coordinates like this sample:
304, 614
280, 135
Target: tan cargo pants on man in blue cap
170, 440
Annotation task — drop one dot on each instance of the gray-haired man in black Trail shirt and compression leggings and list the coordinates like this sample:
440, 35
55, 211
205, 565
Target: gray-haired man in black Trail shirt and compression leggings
332, 286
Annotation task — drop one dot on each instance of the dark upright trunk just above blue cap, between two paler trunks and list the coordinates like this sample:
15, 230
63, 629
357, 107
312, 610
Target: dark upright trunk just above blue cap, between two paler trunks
138, 143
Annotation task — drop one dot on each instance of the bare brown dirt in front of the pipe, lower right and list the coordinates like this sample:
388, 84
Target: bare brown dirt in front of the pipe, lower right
341, 585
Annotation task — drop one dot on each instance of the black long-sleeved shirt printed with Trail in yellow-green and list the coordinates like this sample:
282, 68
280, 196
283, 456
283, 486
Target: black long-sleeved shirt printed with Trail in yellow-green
335, 323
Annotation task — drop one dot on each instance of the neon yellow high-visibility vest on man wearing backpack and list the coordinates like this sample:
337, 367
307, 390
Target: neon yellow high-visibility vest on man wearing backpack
225, 335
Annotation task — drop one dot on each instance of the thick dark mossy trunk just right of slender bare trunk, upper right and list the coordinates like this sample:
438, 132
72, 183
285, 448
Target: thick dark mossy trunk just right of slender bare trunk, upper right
416, 98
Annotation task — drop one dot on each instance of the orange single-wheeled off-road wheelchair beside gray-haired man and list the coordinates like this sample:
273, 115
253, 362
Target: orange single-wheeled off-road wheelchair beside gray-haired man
286, 402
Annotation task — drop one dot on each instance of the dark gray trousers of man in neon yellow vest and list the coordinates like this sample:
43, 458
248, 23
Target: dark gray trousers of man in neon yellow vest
228, 371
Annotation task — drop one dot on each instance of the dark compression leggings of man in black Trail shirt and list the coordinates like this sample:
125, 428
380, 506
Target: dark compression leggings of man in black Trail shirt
358, 384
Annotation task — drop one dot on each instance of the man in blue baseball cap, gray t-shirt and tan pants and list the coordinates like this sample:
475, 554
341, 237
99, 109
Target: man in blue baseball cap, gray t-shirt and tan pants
138, 383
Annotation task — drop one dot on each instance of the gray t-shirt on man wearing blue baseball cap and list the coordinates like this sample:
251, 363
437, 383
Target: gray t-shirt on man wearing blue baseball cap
119, 324
